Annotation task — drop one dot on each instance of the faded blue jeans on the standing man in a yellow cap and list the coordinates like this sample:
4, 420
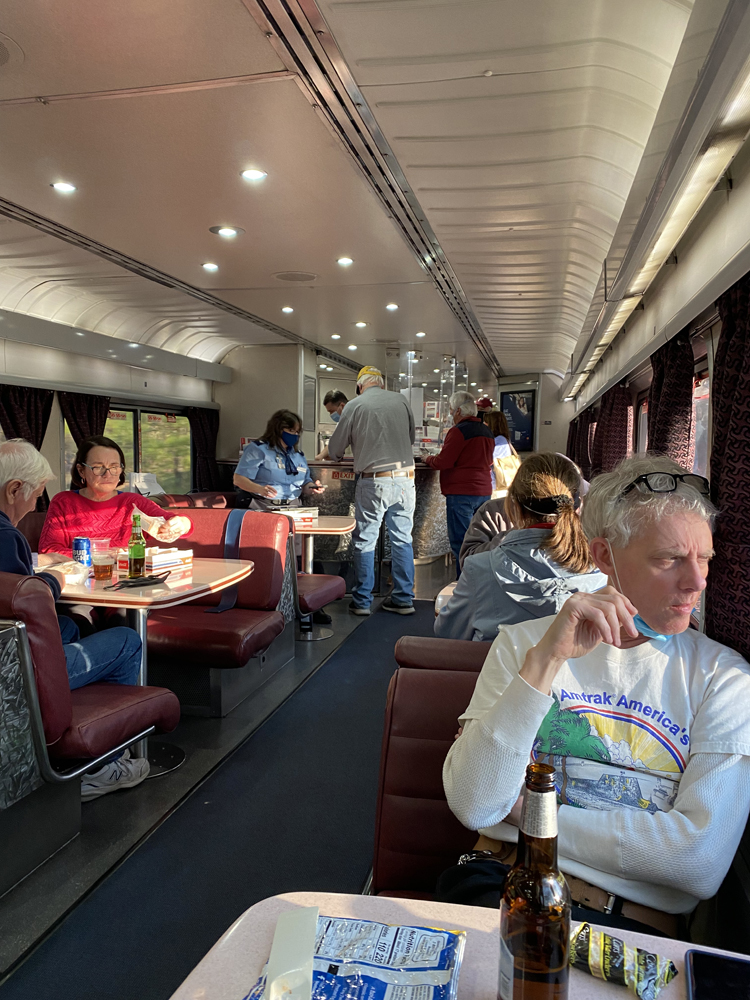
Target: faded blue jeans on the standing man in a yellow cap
375, 499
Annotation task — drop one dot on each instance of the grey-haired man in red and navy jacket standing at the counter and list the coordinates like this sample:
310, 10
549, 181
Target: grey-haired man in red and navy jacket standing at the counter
465, 465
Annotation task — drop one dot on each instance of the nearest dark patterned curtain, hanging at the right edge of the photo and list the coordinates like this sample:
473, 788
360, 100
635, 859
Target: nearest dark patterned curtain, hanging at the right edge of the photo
728, 595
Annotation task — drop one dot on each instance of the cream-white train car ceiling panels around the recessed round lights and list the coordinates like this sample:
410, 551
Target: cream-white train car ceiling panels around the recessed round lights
152, 111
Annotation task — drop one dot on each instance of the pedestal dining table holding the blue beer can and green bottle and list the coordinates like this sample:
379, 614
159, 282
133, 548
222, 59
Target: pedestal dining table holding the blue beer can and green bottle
206, 576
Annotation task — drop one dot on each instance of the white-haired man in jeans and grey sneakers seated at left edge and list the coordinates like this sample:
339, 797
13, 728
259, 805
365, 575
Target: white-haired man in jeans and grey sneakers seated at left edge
112, 656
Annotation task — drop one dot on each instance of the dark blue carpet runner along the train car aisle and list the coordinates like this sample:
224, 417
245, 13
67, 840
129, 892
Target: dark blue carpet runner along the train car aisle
292, 809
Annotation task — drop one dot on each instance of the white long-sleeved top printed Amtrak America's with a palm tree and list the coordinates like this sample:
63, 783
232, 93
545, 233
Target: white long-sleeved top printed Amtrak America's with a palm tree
652, 750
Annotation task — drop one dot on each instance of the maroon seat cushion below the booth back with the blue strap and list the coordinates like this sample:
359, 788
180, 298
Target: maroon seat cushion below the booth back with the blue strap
189, 636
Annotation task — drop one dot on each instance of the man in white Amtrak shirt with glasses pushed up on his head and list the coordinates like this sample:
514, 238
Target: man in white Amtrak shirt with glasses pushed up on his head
646, 721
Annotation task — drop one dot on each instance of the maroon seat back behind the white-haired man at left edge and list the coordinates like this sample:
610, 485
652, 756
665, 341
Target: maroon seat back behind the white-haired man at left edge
26, 599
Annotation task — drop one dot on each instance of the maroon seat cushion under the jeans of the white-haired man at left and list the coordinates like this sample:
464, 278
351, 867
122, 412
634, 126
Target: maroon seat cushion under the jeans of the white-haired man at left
105, 715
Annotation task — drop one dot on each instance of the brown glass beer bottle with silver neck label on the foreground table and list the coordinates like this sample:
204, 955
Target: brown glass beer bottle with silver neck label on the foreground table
535, 906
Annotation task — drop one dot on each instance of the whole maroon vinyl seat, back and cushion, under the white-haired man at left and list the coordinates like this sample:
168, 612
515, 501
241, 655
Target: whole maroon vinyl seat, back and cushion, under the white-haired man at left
95, 719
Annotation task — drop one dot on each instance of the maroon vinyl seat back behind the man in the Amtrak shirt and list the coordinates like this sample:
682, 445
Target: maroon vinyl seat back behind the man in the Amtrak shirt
416, 834
